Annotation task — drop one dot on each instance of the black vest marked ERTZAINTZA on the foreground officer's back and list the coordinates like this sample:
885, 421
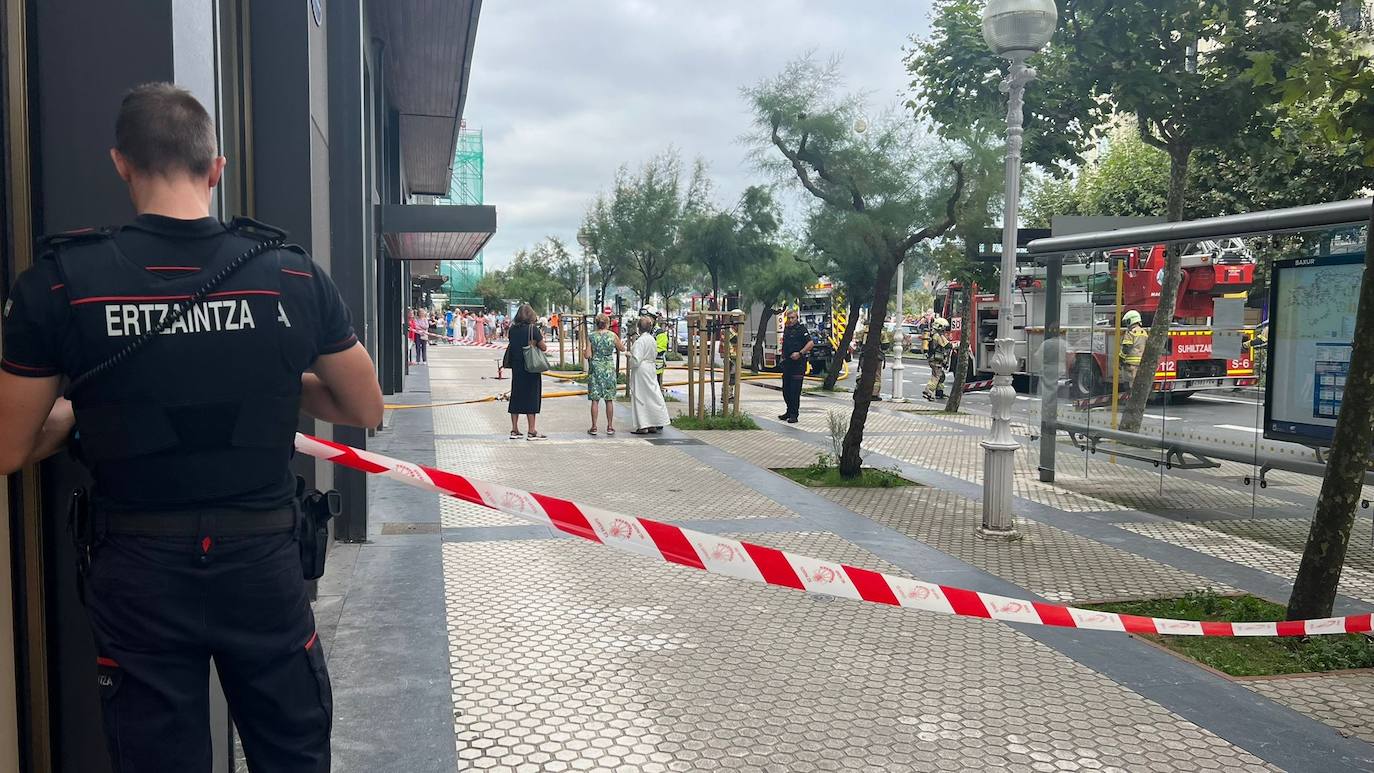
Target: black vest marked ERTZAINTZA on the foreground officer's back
205, 414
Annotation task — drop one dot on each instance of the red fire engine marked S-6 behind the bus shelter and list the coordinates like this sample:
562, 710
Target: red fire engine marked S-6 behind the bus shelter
1088, 315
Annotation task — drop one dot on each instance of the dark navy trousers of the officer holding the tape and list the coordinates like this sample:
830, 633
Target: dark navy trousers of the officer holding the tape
163, 608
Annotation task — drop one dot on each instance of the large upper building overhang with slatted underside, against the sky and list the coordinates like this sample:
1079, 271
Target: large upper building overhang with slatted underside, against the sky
429, 57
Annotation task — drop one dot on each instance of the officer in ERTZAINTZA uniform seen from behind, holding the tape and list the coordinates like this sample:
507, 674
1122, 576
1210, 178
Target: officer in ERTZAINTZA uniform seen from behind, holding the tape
188, 440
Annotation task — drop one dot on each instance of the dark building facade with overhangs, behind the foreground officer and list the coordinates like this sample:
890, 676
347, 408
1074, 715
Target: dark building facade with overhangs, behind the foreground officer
337, 117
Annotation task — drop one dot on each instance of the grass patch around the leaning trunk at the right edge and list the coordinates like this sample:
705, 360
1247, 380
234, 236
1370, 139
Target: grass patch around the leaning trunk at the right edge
1250, 657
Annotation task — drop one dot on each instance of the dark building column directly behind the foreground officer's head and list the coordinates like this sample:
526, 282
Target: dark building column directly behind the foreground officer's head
85, 57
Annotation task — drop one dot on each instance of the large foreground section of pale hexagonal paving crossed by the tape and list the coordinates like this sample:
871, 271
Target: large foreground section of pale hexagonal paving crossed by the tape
571, 657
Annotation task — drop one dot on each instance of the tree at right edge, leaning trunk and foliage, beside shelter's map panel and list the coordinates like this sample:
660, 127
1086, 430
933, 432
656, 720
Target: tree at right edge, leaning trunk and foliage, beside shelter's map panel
1339, 79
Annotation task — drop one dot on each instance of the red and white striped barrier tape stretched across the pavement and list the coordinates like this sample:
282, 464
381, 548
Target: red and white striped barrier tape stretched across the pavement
758, 564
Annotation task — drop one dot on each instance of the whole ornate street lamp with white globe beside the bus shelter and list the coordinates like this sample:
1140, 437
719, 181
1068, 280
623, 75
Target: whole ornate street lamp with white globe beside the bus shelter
1015, 30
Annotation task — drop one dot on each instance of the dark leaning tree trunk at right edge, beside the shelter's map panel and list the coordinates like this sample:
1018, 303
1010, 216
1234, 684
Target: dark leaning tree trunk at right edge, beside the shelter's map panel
1314, 591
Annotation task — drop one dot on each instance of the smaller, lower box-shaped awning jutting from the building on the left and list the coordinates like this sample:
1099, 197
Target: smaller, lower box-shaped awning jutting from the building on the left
436, 233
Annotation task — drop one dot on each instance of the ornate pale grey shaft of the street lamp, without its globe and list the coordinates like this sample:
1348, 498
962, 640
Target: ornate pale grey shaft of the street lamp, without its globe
1000, 450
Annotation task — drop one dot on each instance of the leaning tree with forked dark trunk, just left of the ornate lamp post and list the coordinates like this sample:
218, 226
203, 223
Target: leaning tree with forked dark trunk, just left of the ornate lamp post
895, 192
